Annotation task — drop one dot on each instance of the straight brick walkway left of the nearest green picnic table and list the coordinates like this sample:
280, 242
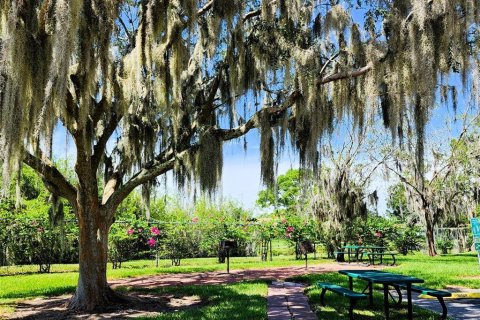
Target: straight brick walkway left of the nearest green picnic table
286, 301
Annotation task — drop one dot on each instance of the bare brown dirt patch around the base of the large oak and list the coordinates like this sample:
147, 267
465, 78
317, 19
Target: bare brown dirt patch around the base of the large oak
140, 305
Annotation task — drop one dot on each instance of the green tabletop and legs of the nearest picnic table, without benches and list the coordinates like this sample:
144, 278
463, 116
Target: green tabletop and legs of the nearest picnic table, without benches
386, 279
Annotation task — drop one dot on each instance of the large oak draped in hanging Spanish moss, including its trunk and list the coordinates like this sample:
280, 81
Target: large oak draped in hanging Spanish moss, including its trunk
144, 87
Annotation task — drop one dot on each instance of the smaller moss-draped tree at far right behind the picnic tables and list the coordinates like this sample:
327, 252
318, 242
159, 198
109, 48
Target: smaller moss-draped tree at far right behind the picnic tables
444, 189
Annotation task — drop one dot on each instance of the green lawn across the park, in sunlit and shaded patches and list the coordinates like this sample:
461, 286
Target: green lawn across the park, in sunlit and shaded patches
19, 283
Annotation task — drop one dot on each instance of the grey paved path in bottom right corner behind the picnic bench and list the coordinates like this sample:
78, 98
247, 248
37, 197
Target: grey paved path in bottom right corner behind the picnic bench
458, 309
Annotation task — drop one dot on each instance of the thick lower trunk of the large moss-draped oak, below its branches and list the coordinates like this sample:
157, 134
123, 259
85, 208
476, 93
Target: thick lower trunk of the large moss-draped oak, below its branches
93, 291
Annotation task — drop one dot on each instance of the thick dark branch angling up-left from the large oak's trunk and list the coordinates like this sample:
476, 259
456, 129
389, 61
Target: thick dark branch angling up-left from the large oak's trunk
54, 180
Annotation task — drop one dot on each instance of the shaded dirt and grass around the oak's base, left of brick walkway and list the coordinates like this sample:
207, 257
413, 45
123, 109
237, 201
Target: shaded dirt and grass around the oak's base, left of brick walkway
244, 300
